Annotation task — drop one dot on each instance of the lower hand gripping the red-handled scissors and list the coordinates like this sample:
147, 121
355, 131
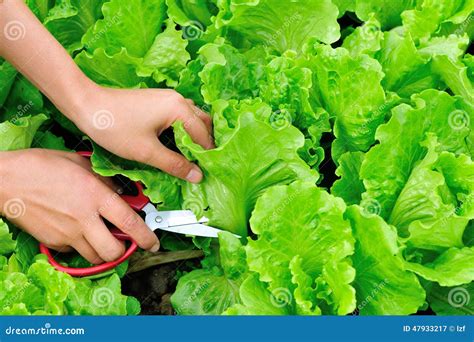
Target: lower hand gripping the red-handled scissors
60, 202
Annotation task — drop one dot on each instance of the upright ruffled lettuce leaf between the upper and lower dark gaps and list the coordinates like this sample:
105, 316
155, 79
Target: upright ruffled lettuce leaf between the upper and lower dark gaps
350, 89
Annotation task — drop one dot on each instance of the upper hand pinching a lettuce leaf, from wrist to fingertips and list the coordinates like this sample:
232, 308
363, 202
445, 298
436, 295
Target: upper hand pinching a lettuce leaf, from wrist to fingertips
128, 122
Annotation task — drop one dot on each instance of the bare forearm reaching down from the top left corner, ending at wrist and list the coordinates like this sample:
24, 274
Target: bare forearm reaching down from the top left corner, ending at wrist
28, 45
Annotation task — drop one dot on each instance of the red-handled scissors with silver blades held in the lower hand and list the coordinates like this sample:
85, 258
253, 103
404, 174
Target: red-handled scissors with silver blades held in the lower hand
176, 221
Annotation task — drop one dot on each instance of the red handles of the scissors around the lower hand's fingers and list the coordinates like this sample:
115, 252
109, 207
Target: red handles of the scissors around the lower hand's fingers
137, 202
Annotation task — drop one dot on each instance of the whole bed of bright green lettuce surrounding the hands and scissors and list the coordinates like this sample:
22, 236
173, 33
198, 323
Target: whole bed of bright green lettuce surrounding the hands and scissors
344, 152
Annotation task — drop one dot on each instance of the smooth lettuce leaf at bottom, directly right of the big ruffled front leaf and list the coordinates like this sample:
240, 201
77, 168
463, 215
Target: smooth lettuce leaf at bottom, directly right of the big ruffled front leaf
382, 284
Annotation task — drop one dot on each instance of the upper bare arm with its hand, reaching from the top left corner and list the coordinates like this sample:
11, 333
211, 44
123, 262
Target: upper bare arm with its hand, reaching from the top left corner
126, 122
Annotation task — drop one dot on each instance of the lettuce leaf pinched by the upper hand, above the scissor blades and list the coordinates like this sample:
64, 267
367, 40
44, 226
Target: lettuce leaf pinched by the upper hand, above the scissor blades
236, 173
